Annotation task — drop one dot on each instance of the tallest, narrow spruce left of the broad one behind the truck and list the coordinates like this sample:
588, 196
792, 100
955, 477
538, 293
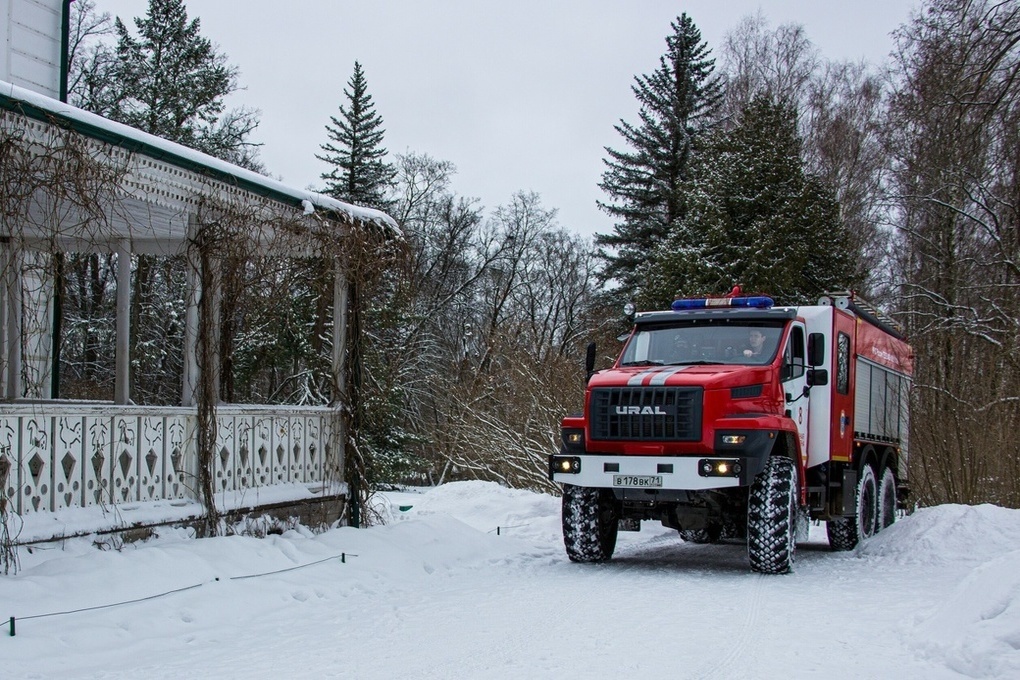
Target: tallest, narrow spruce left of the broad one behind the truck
646, 184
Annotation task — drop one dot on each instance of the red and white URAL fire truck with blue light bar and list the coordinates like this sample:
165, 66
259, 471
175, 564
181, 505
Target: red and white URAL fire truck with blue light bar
733, 419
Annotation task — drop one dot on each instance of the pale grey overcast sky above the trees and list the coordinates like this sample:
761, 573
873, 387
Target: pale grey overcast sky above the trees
519, 94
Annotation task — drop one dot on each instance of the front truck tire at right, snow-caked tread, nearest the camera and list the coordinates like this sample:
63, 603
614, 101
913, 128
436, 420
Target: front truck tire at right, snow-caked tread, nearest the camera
773, 512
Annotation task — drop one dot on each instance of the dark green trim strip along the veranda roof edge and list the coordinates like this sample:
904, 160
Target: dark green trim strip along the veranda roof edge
138, 146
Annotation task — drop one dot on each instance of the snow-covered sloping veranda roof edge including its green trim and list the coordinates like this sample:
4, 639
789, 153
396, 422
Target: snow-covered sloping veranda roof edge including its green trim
119, 135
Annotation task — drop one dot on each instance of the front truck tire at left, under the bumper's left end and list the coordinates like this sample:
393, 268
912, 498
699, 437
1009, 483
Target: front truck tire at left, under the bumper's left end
590, 524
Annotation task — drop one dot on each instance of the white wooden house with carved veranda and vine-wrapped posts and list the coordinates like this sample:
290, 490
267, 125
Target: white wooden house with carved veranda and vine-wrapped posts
120, 464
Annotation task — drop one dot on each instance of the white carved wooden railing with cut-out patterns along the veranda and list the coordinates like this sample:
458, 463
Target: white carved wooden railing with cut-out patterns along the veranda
58, 456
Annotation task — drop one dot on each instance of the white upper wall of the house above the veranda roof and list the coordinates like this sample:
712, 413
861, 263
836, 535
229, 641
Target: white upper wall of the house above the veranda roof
30, 44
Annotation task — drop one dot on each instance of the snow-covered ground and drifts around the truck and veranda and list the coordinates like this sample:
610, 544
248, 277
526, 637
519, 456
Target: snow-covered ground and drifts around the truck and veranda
472, 582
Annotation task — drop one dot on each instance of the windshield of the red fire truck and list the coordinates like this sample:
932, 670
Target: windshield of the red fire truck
707, 343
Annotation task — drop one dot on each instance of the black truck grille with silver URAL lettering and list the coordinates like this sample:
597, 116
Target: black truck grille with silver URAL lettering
646, 414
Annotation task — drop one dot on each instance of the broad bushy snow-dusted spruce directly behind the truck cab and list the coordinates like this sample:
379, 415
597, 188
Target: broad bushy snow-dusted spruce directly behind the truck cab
756, 219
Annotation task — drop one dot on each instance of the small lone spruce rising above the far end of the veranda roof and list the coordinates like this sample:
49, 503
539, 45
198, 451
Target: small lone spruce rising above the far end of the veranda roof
359, 174
